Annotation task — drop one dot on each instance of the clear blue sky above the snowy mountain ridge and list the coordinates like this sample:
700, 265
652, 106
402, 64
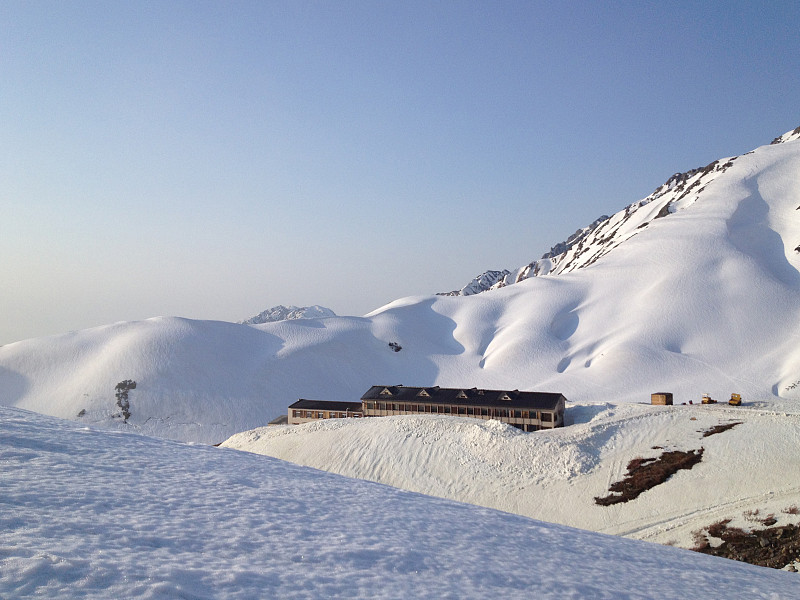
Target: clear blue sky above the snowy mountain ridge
212, 159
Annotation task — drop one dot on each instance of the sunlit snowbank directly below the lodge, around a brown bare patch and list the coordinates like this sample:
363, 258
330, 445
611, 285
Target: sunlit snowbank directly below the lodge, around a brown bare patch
555, 475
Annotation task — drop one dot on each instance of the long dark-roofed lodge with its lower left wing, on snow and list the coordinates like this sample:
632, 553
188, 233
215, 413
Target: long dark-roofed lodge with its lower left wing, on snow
529, 411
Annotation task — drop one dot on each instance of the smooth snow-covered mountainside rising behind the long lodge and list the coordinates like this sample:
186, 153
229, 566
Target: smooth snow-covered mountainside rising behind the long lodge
704, 299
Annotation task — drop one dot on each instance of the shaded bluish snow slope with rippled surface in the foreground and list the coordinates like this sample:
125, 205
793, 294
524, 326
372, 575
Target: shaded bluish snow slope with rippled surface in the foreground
95, 514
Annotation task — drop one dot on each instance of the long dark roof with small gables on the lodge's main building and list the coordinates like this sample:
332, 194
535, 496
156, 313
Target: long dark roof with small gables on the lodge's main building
464, 396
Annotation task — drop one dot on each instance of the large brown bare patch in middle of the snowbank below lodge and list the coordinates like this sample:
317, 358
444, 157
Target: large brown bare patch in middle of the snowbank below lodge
646, 473
